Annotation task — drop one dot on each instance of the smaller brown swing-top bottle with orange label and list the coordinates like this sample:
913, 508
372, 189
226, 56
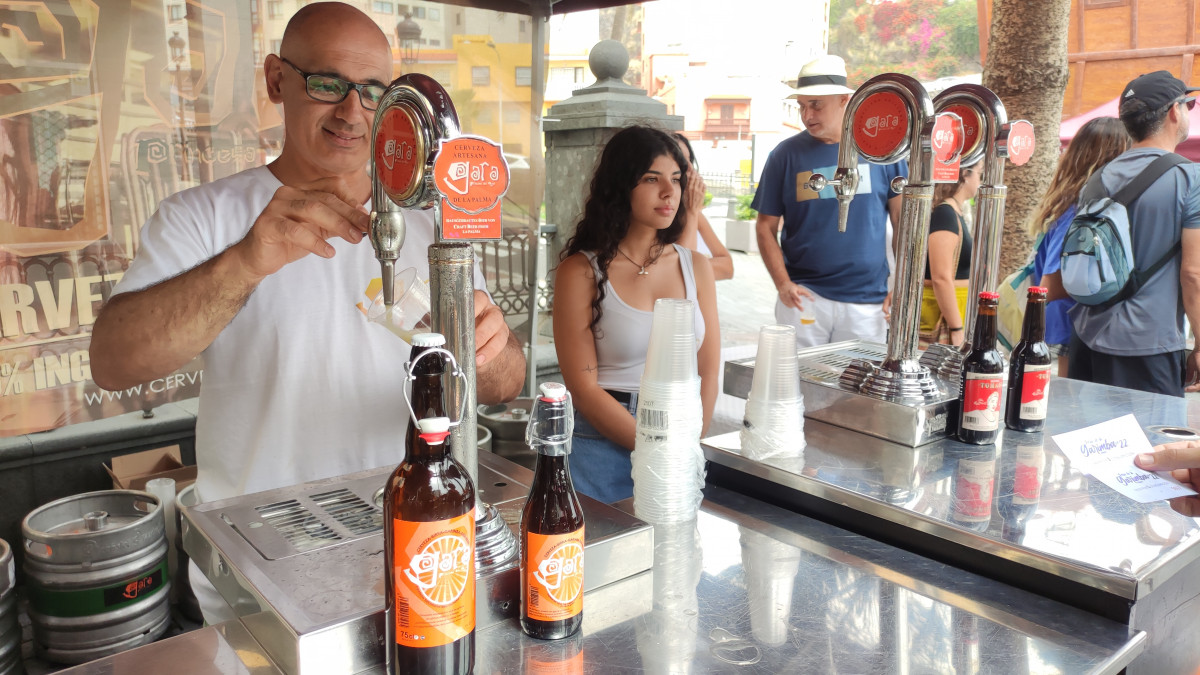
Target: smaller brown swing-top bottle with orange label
551, 525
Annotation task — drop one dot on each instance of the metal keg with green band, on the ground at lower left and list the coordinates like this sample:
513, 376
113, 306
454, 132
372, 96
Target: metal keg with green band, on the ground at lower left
97, 575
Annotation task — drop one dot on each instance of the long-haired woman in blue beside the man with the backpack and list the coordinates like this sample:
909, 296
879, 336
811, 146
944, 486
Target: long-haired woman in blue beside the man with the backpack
1097, 144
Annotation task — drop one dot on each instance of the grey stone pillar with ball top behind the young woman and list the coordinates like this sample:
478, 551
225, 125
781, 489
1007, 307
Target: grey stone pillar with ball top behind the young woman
578, 129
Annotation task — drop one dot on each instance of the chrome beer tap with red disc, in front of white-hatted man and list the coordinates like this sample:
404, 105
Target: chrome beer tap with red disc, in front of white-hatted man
887, 117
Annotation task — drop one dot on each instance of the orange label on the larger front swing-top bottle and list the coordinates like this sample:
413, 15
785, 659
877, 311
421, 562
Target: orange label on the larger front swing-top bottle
435, 581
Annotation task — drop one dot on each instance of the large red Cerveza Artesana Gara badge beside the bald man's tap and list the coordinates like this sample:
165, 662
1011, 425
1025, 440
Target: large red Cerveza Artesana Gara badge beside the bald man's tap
472, 176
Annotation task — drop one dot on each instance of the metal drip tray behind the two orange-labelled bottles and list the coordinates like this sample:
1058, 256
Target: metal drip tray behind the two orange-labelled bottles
303, 566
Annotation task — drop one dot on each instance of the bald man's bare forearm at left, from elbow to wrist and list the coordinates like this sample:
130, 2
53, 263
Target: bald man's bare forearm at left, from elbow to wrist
152, 333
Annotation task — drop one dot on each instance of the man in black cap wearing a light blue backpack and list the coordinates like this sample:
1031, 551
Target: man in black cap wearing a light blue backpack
1131, 256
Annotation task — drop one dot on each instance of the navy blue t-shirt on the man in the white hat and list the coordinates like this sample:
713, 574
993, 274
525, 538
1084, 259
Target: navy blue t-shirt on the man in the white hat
848, 267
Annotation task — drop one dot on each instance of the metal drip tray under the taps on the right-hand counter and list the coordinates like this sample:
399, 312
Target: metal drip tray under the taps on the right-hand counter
830, 380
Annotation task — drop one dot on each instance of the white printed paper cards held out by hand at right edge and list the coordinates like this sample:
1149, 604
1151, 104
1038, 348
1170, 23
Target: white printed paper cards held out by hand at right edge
1106, 452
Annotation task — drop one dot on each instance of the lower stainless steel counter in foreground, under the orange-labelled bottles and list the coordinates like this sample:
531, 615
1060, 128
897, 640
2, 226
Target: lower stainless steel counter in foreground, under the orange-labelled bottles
752, 588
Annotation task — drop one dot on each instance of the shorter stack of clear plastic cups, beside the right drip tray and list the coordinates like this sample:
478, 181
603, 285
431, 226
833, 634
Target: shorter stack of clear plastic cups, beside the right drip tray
775, 420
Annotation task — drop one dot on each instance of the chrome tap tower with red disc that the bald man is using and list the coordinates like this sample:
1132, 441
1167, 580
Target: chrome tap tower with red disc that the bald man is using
415, 117
